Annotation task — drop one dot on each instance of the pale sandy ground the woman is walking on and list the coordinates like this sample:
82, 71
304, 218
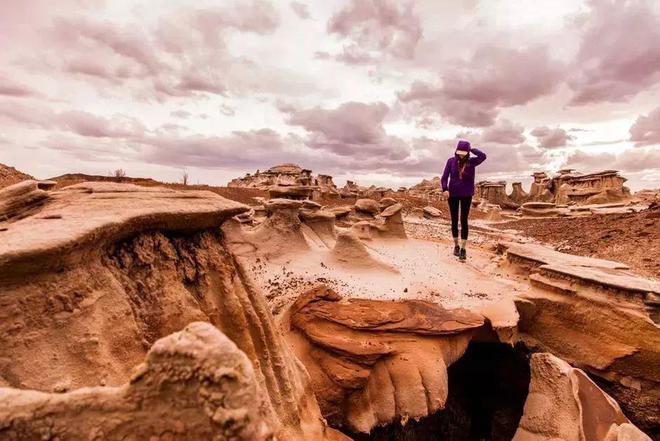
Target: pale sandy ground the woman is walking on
422, 267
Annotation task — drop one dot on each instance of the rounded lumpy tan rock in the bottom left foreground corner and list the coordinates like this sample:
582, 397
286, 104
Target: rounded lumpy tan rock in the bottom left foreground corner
194, 384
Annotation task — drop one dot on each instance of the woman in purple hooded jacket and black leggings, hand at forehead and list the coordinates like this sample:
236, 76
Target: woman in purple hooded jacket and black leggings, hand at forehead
458, 179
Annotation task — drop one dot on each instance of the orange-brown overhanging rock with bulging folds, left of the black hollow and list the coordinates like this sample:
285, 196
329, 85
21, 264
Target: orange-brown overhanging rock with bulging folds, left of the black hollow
374, 362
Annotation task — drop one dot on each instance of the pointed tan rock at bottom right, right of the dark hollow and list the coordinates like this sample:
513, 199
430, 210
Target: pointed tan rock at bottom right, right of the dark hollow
563, 403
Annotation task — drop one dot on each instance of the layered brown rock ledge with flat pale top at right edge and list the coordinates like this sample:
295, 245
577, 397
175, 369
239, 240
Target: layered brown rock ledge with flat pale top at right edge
594, 314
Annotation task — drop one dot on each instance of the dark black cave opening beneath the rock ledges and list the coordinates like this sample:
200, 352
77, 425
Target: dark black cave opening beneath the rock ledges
487, 391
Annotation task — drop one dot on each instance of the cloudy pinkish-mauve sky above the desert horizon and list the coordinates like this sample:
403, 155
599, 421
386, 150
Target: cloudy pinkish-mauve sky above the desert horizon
372, 90
